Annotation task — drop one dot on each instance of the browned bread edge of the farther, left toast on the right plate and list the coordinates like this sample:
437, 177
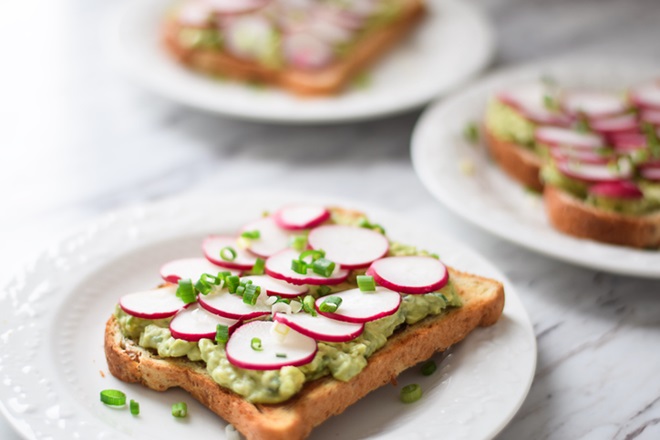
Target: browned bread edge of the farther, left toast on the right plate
518, 162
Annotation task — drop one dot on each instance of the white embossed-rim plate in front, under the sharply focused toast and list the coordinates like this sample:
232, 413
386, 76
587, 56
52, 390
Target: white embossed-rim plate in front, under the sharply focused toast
52, 365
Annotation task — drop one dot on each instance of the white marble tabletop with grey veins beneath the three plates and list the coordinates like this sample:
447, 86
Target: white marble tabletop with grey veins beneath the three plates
78, 141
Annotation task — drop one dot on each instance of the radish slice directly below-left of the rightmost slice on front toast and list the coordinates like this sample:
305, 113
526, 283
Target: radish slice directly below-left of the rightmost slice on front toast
357, 306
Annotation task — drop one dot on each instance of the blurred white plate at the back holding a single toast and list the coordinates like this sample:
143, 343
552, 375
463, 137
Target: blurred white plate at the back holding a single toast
453, 42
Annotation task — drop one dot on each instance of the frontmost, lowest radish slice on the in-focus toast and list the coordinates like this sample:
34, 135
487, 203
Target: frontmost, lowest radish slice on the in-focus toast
295, 350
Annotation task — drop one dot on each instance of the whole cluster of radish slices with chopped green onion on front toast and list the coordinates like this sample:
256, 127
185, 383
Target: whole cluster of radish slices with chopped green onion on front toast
270, 320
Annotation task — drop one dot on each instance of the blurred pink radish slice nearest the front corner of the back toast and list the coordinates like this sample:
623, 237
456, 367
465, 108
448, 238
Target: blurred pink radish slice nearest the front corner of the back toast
306, 51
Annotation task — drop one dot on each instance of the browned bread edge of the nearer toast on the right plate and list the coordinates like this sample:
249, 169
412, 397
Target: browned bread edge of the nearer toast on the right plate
571, 216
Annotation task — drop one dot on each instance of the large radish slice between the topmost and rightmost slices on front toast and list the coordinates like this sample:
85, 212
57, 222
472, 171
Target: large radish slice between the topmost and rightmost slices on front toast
350, 246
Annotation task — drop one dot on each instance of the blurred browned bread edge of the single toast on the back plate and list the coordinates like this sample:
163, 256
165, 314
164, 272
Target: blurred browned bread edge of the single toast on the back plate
329, 80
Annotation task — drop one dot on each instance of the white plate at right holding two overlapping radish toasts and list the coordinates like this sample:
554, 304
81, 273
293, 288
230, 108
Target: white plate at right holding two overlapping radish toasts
490, 199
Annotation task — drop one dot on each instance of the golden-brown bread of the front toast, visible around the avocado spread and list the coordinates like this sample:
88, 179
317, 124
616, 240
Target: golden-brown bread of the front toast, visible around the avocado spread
483, 301
